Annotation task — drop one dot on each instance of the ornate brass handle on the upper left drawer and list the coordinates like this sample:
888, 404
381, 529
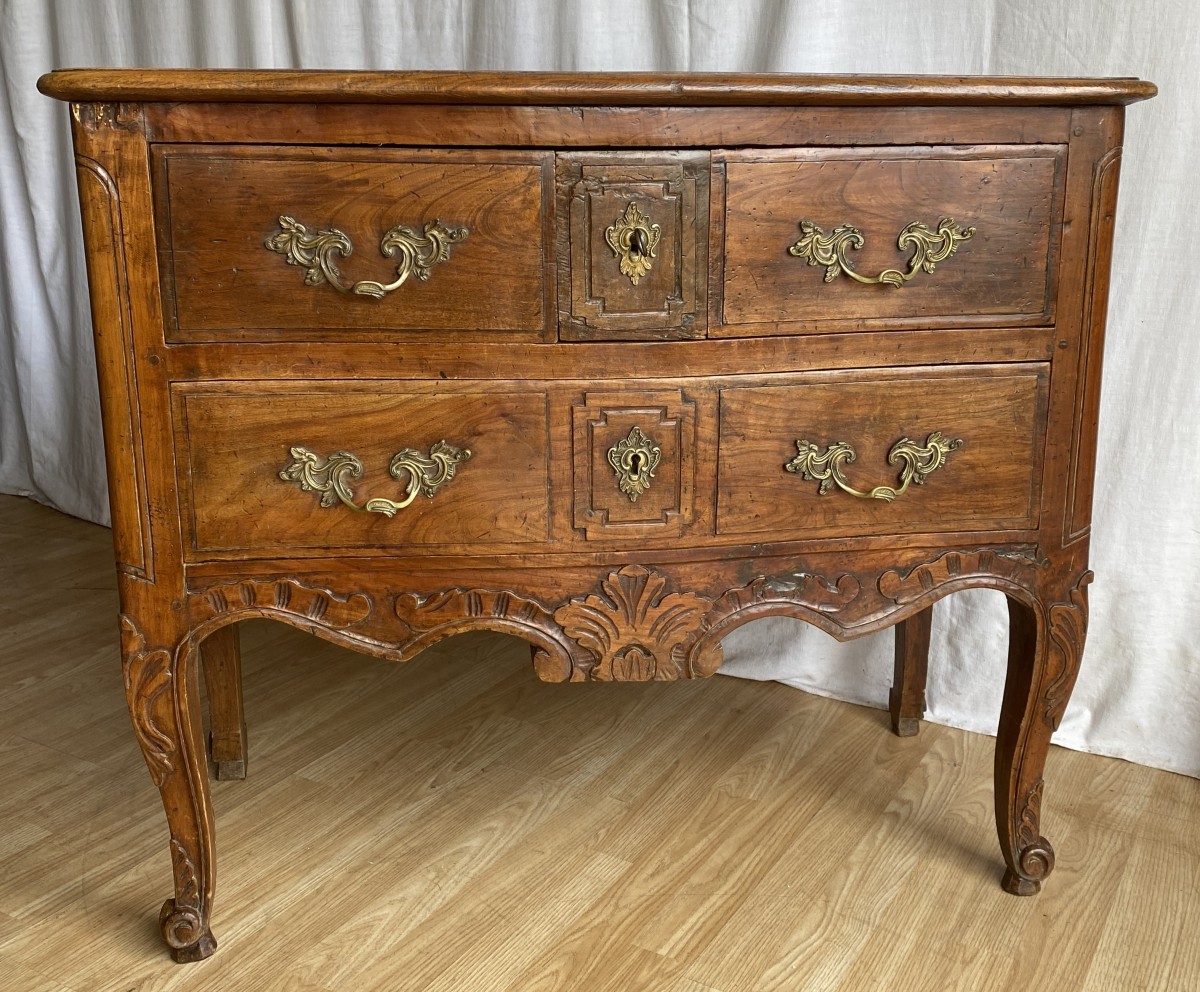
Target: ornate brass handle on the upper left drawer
314, 251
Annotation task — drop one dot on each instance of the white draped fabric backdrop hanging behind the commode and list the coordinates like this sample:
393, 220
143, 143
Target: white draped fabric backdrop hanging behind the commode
1139, 693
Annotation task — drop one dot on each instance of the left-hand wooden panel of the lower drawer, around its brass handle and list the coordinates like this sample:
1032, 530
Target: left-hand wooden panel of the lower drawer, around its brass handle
236, 441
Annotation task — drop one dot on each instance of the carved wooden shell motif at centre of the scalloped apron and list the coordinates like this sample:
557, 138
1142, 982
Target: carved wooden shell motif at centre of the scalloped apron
635, 629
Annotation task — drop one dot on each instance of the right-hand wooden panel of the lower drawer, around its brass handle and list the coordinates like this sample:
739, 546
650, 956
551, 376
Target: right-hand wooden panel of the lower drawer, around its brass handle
991, 420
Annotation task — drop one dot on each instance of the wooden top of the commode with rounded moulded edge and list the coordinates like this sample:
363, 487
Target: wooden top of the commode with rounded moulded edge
633, 89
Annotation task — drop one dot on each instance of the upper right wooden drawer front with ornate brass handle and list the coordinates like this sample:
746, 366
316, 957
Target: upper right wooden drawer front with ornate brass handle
961, 237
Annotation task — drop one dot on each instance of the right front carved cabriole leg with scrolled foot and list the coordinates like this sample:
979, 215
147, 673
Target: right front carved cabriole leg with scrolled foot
1046, 646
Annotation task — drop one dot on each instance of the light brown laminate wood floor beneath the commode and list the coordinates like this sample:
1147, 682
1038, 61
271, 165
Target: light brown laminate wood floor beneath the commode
457, 825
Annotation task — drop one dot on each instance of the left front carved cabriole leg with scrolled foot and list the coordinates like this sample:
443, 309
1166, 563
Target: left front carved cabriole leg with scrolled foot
163, 692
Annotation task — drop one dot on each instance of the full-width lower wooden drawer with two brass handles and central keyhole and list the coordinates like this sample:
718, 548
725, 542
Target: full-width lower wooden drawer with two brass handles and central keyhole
279, 468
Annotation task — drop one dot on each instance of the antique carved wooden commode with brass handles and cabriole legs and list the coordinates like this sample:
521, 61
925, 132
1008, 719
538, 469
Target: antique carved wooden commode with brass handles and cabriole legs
619, 363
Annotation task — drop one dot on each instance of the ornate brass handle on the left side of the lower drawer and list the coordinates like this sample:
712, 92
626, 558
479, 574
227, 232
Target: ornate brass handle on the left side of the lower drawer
329, 477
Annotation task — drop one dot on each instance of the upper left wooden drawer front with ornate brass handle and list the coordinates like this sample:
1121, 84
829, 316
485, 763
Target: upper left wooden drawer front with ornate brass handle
255, 242
